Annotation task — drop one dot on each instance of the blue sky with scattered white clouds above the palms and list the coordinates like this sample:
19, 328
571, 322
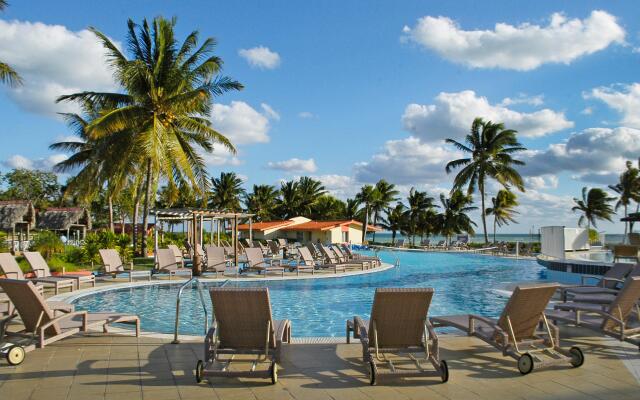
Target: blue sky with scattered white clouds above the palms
351, 92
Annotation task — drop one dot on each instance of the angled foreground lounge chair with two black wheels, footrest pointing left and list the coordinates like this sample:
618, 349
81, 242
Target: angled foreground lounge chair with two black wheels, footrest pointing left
515, 334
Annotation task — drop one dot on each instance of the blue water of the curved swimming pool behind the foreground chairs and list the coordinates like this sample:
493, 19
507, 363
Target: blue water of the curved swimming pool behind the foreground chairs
463, 283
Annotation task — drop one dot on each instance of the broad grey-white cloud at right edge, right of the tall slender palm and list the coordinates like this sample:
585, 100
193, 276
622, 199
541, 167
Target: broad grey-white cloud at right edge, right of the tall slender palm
594, 155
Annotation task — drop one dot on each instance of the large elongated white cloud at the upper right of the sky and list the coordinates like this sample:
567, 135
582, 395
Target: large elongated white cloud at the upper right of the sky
522, 47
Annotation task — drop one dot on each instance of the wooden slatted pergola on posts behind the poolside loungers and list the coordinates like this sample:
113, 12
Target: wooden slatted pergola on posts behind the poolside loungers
193, 220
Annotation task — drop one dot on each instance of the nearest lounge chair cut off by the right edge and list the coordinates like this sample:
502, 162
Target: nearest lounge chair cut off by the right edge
614, 319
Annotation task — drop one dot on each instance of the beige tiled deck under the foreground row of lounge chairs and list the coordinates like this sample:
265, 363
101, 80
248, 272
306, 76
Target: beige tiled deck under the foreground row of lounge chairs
125, 367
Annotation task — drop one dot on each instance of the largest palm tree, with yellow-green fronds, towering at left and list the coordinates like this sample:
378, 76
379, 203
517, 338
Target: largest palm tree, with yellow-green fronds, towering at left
168, 90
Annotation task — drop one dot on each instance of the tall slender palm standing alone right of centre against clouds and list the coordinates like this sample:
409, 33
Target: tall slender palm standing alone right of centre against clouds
491, 148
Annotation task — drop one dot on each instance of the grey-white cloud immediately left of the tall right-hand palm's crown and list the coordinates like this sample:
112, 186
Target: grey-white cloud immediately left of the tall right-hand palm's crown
407, 161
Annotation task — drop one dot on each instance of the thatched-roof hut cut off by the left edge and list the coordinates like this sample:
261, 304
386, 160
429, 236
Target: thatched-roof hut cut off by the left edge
17, 217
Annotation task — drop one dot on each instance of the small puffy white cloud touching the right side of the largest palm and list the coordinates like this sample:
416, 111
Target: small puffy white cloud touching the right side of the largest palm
240, 122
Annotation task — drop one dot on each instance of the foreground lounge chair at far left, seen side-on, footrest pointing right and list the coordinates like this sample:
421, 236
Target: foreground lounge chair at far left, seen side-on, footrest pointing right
39, 319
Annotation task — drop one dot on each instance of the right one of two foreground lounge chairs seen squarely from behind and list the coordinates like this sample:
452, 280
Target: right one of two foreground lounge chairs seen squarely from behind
399, 325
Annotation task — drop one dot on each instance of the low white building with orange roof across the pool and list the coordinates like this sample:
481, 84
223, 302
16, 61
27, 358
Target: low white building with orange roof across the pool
304, 230
